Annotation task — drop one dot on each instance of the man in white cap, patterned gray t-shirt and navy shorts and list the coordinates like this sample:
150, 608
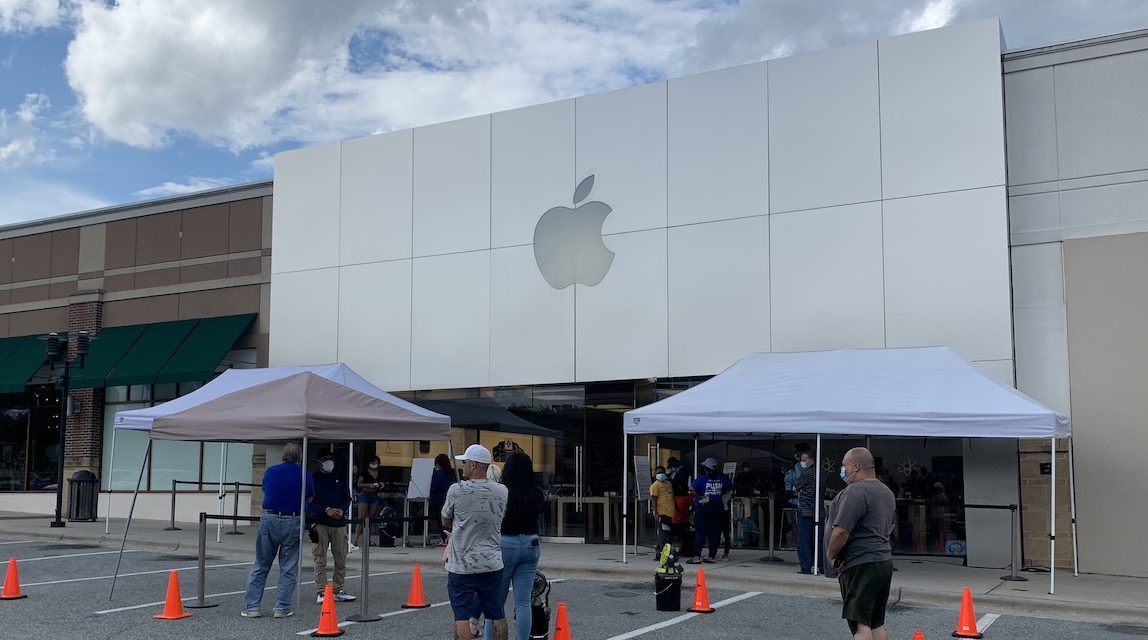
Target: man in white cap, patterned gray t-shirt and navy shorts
474, 515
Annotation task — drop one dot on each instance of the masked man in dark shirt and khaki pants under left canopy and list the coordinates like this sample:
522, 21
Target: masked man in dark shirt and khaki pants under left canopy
332, 500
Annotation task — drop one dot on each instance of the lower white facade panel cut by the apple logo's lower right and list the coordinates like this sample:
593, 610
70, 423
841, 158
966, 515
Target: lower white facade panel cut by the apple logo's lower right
620, 327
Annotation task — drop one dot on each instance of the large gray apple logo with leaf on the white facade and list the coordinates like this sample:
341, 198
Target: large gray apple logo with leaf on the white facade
568, 243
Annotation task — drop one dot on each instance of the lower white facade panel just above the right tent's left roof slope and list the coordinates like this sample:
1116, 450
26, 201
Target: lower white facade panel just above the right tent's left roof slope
719, 295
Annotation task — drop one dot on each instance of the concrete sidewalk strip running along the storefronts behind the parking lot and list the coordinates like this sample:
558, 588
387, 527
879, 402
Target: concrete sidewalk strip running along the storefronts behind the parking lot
918, 582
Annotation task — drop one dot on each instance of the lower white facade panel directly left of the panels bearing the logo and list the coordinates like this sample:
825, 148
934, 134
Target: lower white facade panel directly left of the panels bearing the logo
451, 321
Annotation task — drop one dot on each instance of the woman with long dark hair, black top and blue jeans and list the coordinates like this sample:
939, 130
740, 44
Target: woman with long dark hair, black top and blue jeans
519, 541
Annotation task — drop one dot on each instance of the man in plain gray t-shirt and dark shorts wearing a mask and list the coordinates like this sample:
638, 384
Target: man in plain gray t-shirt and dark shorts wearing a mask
860, 522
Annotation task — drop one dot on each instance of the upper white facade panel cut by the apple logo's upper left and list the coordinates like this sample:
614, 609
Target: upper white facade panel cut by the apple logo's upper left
532, 169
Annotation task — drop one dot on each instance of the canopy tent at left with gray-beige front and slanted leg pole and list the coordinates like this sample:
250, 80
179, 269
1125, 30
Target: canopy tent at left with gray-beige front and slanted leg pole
327, 404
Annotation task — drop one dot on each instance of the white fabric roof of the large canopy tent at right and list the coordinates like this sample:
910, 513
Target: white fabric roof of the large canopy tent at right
927, 391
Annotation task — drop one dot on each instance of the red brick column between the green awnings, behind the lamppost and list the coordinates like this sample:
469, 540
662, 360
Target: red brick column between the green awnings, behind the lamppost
84, 441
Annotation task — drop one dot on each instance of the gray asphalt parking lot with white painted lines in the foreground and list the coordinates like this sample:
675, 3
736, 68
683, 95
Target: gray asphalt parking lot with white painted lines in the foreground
68, 598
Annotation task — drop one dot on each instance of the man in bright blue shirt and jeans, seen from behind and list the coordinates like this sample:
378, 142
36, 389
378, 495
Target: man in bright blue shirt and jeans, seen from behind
278, 534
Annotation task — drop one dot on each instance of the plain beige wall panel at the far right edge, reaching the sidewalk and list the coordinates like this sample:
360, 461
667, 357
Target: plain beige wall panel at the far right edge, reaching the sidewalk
1107, 300
